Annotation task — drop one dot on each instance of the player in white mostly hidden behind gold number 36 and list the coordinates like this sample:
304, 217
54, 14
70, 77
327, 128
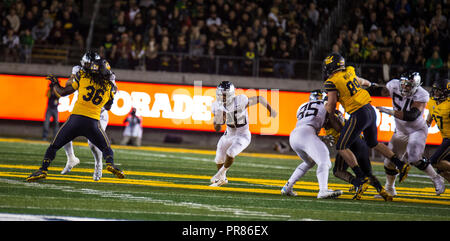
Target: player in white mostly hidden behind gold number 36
72, 160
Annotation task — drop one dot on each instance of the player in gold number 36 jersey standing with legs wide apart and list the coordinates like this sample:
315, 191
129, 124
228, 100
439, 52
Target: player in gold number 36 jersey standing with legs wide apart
95, 90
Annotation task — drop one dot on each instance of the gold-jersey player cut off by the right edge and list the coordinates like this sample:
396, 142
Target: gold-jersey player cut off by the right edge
439, 107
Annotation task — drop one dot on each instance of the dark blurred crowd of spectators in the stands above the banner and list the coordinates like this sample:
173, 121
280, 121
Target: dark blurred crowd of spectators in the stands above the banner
264, 38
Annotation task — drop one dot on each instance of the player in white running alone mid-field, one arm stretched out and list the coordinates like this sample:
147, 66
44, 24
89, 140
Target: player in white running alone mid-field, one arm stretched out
231, 110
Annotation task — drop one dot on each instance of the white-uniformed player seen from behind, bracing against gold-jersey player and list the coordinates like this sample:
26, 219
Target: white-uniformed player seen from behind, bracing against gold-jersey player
304, 140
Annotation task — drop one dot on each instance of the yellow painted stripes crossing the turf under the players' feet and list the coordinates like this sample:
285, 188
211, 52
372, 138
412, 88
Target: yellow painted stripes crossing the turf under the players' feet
402, 192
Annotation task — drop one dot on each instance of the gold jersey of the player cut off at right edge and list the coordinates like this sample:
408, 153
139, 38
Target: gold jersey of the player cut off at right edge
441, 115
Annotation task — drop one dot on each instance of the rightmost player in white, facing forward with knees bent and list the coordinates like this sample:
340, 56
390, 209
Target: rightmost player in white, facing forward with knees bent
409, 100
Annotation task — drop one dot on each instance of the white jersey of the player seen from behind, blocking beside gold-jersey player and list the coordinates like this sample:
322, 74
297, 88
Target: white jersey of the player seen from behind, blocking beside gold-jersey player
312, 113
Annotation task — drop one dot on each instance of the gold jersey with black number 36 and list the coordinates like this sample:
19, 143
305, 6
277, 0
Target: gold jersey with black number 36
91, 97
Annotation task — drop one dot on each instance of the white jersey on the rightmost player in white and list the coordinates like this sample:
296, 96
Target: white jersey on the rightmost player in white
403, 103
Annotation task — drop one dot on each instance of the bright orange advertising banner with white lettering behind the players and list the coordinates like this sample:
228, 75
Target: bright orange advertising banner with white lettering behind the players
180, 107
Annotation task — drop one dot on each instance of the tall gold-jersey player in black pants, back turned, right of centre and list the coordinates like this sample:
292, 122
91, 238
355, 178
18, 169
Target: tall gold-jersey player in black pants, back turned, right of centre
344, 86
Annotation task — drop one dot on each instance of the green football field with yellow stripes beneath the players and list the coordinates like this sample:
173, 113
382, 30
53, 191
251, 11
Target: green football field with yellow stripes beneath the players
172, 184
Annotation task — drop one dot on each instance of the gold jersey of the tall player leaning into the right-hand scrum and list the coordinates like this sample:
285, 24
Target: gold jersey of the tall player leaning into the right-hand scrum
350, 94
